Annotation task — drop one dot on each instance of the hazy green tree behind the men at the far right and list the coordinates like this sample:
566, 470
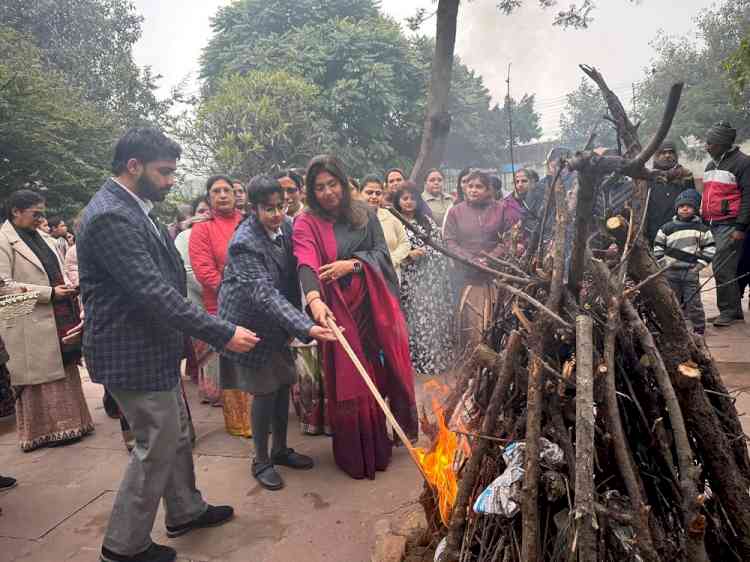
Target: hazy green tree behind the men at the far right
707, 97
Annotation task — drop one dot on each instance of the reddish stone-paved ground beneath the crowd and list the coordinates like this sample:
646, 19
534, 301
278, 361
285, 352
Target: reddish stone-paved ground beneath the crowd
60, 508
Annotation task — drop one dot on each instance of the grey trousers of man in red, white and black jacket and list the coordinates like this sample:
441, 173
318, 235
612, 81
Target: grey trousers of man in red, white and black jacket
725, 261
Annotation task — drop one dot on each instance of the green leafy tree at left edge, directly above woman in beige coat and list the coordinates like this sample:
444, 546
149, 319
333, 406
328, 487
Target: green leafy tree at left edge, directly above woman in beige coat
50, 137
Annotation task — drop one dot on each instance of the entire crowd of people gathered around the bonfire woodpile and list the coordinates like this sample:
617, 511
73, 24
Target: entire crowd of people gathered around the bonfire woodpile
247, 283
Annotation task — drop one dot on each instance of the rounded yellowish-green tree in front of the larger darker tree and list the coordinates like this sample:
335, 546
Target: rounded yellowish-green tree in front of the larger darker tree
254, 123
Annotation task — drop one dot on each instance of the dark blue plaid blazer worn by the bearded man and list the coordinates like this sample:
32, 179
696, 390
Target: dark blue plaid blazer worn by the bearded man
133, 290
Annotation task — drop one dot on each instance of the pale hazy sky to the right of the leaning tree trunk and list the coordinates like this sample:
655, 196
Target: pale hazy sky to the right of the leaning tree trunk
545, 58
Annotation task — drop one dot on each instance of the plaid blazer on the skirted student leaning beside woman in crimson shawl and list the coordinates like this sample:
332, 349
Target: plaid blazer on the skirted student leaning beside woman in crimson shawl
260, 291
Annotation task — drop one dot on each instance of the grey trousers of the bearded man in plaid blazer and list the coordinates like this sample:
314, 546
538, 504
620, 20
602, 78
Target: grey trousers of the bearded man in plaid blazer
161, 466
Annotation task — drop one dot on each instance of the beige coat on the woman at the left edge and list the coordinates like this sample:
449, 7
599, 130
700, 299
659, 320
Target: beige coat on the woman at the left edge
31, 340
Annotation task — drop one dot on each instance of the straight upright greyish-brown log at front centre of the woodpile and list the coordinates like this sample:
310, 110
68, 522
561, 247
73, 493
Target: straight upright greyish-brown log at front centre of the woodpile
584, 469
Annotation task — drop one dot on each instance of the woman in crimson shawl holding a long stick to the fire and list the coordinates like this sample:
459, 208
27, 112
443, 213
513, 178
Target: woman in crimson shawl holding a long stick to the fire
346, 274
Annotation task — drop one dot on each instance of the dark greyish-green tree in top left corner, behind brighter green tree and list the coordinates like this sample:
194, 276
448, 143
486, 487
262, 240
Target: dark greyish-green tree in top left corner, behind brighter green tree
90, 42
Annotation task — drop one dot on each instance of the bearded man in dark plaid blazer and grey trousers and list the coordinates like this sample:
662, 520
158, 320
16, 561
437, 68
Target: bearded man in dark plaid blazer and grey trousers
136, 315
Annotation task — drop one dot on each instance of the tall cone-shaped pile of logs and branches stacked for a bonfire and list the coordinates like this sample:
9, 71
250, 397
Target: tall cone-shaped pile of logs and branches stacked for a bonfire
604, 430
